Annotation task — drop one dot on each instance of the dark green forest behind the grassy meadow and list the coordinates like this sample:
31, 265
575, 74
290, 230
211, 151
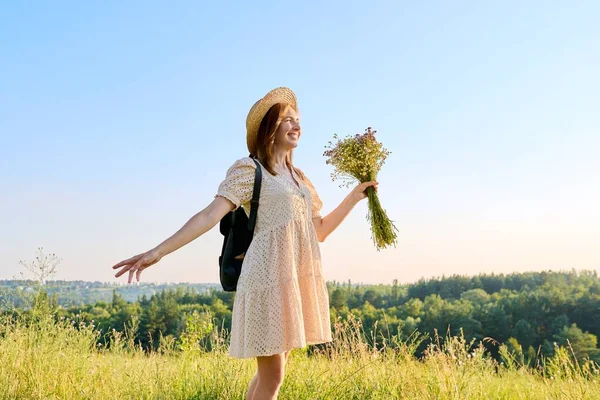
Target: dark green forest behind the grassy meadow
531, 313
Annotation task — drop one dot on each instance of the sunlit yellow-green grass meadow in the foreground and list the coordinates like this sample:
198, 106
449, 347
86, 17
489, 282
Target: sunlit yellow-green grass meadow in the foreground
41, 358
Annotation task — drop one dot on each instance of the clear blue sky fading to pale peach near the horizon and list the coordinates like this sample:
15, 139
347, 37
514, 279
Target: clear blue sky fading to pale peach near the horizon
118, 121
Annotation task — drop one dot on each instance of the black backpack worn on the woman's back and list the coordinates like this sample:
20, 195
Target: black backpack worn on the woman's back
238, 231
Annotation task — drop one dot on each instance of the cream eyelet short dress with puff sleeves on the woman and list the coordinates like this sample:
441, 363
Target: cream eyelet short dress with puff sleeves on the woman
281, 301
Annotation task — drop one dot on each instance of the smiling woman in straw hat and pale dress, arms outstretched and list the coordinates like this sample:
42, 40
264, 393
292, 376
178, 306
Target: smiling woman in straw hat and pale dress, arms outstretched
281, 301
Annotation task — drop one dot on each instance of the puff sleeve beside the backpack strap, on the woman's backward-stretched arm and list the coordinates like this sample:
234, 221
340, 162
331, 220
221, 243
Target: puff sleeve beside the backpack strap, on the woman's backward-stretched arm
238, 184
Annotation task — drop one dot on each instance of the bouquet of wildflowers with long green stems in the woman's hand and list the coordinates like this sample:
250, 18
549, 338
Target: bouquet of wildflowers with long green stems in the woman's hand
359, 158
